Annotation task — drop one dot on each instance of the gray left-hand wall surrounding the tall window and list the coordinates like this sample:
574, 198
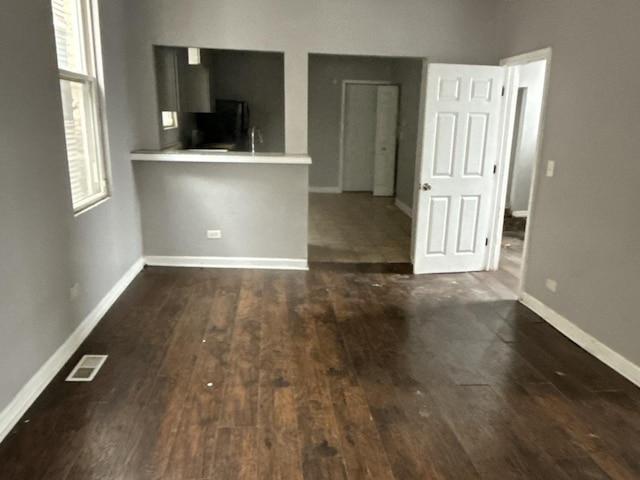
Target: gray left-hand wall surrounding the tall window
44, 249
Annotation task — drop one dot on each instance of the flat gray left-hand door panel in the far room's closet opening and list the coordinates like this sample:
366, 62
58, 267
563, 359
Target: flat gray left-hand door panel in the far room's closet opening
359, 137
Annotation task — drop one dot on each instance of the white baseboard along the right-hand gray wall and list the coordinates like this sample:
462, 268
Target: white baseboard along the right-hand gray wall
613, 359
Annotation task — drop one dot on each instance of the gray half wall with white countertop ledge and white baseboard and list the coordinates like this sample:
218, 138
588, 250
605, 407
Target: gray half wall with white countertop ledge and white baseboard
204, 208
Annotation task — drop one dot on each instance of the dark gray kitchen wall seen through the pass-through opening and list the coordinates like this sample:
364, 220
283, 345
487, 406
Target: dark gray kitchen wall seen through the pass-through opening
257, 78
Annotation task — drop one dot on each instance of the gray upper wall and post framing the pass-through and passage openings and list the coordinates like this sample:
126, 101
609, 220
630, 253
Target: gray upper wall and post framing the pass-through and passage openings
442, 30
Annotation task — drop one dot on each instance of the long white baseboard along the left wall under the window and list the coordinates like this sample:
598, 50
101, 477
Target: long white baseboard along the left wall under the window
34, 387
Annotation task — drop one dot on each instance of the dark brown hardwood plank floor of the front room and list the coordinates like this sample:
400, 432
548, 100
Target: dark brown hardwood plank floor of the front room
342, 372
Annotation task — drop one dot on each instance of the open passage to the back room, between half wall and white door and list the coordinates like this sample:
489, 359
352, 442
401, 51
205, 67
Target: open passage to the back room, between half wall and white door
347, 223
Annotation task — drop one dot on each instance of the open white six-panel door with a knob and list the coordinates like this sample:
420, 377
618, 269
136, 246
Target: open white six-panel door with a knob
454, 202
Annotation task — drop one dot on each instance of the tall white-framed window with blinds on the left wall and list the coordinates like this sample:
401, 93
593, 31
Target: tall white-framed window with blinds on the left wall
80, 89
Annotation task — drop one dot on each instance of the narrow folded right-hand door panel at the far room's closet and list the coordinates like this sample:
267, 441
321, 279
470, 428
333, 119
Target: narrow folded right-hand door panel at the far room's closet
385, 143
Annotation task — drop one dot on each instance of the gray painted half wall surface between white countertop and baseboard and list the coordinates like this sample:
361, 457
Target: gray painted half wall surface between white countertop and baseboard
262, 210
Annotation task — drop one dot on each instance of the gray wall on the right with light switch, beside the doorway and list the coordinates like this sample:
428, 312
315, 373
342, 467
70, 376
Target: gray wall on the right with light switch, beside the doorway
585, 224
